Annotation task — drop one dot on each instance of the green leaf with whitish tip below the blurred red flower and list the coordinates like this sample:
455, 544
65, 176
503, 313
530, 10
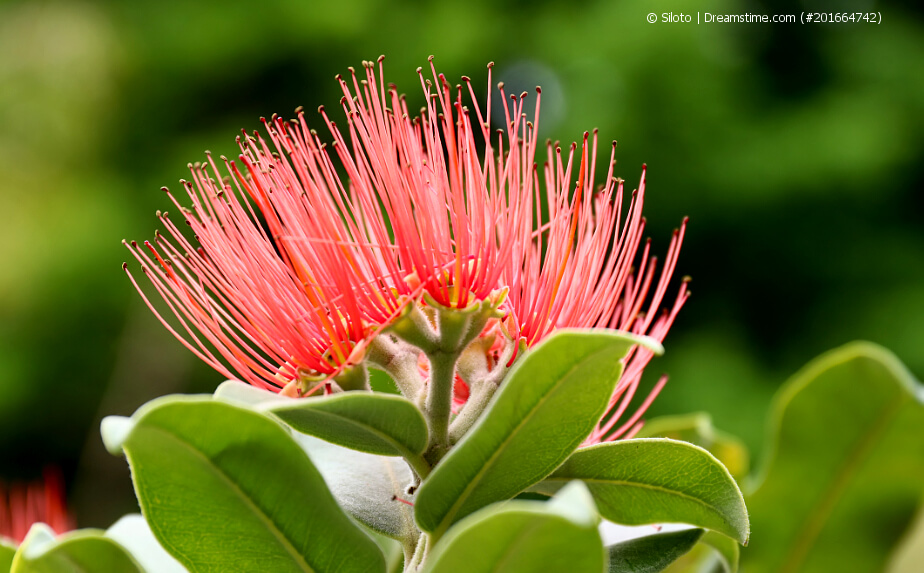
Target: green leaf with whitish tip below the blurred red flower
83, 551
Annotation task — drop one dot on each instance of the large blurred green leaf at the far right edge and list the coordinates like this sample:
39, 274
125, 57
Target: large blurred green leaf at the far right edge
844, 472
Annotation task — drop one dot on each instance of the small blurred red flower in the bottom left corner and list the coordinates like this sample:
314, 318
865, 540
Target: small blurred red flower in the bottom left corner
23, 505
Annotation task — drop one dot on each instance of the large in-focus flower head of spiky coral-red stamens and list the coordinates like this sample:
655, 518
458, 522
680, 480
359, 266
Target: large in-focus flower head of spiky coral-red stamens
430, 205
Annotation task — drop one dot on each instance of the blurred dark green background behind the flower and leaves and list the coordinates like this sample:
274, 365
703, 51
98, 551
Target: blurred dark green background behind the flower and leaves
795, 150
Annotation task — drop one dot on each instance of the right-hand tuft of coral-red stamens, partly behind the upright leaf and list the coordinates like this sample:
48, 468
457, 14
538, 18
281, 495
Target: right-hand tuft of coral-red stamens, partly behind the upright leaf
588, 277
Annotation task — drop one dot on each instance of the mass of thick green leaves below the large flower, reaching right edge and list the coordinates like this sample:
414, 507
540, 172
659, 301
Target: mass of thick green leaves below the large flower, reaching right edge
848, 426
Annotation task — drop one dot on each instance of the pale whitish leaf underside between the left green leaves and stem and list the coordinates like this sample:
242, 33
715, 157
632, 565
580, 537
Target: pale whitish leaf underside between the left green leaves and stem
367, 486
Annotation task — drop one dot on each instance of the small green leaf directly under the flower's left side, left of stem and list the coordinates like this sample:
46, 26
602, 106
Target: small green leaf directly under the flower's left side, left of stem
382, 424
